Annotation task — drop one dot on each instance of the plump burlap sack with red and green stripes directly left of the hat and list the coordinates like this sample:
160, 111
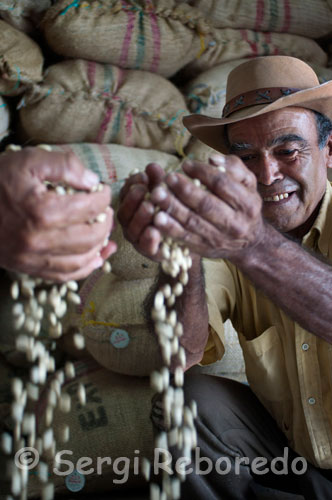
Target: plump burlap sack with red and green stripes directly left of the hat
82, 101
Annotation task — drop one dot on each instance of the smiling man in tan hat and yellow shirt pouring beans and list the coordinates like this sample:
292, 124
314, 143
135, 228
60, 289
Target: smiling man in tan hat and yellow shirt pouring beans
268, 212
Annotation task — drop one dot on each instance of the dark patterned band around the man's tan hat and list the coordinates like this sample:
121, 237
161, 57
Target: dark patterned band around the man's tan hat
254, 97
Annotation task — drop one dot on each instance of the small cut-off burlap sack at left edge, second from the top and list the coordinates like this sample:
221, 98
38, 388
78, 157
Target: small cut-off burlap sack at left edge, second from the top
21, 60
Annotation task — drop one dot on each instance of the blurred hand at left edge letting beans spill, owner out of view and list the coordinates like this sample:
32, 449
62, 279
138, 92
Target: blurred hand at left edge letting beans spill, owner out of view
43, 233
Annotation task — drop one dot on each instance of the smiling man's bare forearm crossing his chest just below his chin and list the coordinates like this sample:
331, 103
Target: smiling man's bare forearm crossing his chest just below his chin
295, 280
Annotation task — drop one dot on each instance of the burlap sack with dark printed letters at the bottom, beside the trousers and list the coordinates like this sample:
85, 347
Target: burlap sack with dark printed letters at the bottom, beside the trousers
114, 423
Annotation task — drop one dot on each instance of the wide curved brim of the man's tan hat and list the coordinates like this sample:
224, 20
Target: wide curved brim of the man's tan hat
211, 130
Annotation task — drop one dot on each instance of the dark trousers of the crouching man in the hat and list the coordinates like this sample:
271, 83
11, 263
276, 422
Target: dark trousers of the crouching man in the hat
234, 425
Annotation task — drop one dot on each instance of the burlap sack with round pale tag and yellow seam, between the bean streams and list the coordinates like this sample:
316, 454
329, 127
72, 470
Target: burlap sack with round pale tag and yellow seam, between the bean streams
111, 317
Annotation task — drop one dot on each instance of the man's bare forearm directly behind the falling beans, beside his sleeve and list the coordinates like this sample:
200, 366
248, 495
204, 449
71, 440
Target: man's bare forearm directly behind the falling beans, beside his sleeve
191, 311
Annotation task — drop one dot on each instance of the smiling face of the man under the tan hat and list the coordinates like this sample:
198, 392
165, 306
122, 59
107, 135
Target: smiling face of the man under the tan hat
281, 149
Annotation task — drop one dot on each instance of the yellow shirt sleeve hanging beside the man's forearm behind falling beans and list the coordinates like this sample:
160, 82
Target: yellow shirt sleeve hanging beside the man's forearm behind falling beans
221, 293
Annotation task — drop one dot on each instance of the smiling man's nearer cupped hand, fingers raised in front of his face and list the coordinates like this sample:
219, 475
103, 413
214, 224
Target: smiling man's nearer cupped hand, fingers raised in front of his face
218, 223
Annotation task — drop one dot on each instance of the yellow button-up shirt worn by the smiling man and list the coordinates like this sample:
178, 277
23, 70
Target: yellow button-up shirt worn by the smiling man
288, 368
